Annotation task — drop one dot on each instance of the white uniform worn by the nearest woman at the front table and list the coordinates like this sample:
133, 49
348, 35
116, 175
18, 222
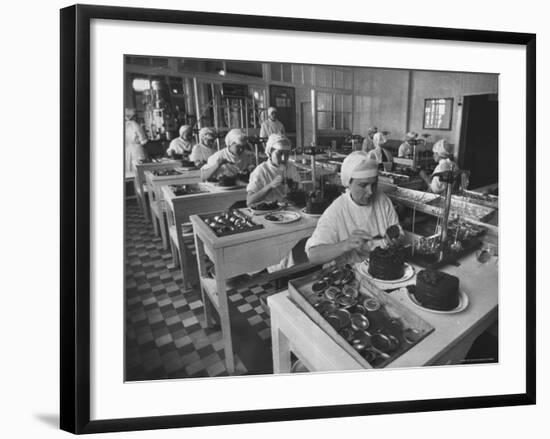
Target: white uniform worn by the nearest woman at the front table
344, 216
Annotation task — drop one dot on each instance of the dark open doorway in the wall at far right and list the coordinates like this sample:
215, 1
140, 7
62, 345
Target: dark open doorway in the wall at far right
479, 139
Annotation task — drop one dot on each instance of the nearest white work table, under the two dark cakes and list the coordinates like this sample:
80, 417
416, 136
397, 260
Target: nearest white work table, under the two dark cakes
292, 330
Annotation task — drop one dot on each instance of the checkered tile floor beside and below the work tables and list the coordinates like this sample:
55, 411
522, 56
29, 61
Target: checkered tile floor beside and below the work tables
166, 333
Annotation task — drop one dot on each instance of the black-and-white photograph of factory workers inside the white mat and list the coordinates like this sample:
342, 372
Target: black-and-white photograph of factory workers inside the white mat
286, 218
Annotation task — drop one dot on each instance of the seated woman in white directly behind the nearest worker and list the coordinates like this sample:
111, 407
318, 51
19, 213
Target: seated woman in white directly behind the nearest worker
267, 180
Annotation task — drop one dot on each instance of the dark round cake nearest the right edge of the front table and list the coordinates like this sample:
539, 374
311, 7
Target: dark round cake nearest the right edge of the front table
437, 290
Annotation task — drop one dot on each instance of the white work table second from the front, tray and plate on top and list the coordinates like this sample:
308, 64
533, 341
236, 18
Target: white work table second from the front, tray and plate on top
240, 254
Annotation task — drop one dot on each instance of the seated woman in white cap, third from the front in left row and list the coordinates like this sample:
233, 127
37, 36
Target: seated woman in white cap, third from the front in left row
231, 160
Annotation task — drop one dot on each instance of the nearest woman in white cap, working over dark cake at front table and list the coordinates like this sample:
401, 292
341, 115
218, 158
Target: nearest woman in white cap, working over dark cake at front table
351, 226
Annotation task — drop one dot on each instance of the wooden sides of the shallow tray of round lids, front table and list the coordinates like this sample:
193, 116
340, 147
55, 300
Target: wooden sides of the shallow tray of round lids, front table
300, 292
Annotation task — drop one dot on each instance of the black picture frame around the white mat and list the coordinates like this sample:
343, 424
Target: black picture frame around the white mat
75, 212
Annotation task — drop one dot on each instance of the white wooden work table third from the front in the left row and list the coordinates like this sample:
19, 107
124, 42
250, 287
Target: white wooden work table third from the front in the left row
180, 208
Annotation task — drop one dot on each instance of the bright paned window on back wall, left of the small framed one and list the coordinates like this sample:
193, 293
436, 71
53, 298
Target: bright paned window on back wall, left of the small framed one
334, 111
